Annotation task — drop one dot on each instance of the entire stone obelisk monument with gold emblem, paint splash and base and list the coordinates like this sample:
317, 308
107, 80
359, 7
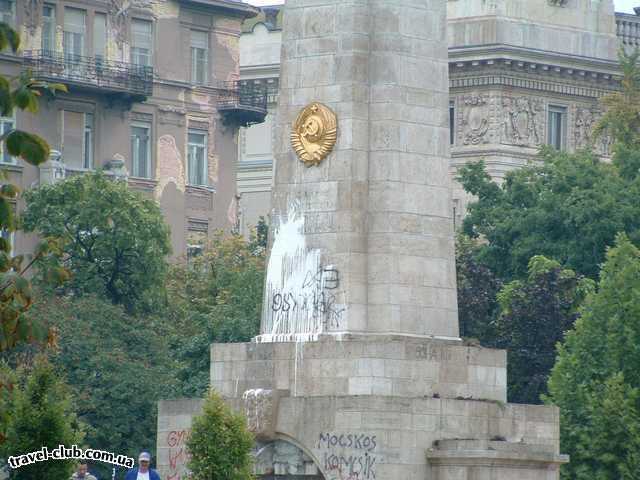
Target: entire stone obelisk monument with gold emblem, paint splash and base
359, 373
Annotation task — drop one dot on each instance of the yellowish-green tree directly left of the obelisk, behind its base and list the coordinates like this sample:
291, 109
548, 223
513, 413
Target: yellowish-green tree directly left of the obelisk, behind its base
216, 297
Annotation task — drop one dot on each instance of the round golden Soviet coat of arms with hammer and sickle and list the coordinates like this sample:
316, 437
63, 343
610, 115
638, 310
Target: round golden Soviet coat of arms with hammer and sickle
314, 133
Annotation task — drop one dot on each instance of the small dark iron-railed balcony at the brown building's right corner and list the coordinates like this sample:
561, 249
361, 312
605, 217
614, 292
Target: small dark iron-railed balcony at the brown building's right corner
242, 103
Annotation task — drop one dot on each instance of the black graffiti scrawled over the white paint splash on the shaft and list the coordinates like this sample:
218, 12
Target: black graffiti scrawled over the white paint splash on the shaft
315, 298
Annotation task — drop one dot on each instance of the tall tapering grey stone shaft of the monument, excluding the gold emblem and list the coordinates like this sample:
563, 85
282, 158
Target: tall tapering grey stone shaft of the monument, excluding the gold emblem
370, 210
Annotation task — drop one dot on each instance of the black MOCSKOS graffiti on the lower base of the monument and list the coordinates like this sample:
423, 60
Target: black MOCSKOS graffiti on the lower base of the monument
348, 456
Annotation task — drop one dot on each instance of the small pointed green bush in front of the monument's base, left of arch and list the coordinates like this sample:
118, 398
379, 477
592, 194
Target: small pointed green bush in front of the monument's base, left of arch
220, 444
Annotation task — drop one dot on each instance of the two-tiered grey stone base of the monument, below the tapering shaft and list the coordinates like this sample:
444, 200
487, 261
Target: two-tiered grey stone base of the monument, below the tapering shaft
385, 408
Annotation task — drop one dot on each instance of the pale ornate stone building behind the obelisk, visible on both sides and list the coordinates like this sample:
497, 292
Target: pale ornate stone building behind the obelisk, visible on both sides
523, 73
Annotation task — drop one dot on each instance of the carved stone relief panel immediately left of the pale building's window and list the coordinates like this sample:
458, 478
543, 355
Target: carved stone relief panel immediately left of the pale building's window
522, 121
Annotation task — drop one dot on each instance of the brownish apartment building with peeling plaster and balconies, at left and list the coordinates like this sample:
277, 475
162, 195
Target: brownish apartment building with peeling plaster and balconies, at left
153, 98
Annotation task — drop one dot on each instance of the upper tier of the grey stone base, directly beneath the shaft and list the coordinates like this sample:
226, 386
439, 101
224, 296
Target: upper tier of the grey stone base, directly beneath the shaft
361, 365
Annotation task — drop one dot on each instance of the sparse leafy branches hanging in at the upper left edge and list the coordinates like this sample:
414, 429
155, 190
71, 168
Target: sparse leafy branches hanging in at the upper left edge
15, 289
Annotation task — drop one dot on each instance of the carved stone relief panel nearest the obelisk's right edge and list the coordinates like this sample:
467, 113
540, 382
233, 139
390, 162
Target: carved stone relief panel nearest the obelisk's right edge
475, 119
